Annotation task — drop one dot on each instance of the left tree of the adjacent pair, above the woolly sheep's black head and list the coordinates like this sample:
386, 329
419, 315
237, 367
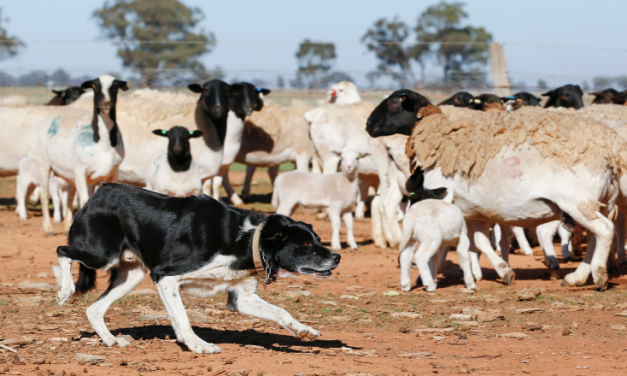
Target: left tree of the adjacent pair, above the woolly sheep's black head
387, 40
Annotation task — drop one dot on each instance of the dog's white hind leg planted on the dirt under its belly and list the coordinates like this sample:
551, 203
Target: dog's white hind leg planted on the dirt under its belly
123, 280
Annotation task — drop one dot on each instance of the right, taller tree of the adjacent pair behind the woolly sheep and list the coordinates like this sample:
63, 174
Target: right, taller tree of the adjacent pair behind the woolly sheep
461, 50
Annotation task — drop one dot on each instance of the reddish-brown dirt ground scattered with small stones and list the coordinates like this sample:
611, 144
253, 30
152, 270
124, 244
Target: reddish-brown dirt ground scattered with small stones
369, 326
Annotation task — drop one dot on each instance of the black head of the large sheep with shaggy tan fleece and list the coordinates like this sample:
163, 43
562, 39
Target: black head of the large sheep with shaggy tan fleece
396, 114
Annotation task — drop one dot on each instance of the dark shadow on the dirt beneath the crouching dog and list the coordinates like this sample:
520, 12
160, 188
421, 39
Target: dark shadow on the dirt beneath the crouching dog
269, 341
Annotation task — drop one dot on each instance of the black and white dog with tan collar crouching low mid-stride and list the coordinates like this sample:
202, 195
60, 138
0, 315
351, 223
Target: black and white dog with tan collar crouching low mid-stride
196, 244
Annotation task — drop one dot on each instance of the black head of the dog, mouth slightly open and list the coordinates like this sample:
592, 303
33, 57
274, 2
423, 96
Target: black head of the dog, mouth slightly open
287, 245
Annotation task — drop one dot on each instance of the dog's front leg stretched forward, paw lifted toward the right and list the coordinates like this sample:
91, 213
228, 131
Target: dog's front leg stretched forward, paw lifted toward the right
243, 298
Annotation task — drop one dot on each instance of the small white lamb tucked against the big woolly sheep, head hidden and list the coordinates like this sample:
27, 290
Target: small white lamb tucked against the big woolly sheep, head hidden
433, 224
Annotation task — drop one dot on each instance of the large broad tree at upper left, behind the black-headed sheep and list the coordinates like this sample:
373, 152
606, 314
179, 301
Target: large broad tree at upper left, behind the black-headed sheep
156, 38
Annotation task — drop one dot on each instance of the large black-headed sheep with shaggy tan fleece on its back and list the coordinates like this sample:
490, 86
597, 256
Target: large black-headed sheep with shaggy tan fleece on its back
491, 166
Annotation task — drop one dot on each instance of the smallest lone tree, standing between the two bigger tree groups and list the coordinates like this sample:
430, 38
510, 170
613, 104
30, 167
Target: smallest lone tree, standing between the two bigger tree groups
315, 60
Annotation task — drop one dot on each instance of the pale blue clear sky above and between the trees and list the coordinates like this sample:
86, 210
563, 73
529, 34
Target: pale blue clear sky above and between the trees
560, 41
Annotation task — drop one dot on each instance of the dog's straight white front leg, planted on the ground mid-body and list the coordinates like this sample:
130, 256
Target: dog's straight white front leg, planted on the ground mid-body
168, 288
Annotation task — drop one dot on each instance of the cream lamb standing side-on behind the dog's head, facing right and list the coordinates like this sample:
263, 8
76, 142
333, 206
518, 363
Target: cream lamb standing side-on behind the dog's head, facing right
336, 192
